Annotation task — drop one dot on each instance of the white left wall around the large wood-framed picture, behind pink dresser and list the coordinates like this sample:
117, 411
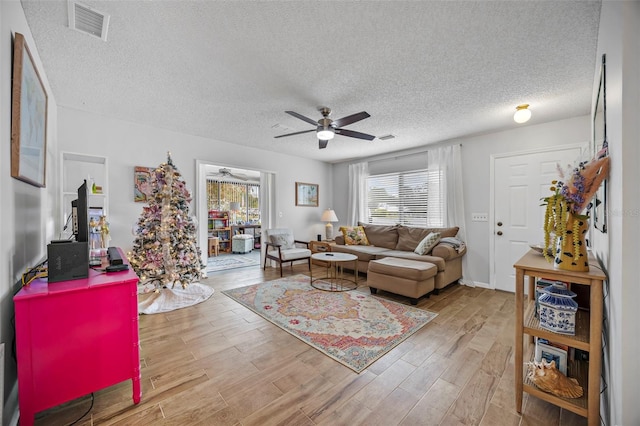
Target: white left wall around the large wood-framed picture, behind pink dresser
26, 212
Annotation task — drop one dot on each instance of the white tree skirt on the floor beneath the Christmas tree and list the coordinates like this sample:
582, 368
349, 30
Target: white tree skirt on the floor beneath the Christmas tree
169, 299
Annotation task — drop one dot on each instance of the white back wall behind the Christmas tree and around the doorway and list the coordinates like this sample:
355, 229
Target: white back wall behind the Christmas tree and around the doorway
127, 145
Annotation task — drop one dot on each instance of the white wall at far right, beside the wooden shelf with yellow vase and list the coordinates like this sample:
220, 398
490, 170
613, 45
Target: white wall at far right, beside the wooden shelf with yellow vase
619, 39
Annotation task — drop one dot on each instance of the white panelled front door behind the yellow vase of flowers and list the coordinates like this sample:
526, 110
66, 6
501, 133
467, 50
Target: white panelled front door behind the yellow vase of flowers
520, 180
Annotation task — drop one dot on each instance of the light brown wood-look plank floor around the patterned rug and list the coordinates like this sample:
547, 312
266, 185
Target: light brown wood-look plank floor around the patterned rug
218, 363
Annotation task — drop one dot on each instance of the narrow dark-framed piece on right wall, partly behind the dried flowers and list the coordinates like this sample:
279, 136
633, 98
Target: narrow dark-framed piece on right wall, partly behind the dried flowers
600, 148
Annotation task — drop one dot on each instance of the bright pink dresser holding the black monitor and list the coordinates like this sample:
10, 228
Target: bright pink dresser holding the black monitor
74, 338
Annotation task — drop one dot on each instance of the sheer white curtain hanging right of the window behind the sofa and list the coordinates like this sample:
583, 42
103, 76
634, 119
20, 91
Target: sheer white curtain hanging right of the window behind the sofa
448, 159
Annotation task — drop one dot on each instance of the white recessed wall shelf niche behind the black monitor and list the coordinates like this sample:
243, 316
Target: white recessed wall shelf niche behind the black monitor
75, 169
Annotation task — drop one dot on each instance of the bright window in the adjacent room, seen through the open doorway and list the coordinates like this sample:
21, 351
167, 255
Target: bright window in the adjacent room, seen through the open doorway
221, 194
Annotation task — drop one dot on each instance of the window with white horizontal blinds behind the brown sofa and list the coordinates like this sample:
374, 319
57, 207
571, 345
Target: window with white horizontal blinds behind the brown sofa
414, 198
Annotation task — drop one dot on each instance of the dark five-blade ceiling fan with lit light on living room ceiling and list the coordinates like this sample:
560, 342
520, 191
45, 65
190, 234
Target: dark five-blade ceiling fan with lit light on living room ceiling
327, 128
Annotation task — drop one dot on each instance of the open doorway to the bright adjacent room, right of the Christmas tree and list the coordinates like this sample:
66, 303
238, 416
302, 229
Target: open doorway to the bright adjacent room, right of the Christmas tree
229, 205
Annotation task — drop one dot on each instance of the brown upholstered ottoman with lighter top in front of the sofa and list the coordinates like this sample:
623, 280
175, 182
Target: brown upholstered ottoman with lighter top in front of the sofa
409, 278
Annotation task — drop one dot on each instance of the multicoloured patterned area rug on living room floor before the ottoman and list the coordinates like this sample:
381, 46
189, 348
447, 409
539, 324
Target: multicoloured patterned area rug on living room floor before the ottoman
351, 327
